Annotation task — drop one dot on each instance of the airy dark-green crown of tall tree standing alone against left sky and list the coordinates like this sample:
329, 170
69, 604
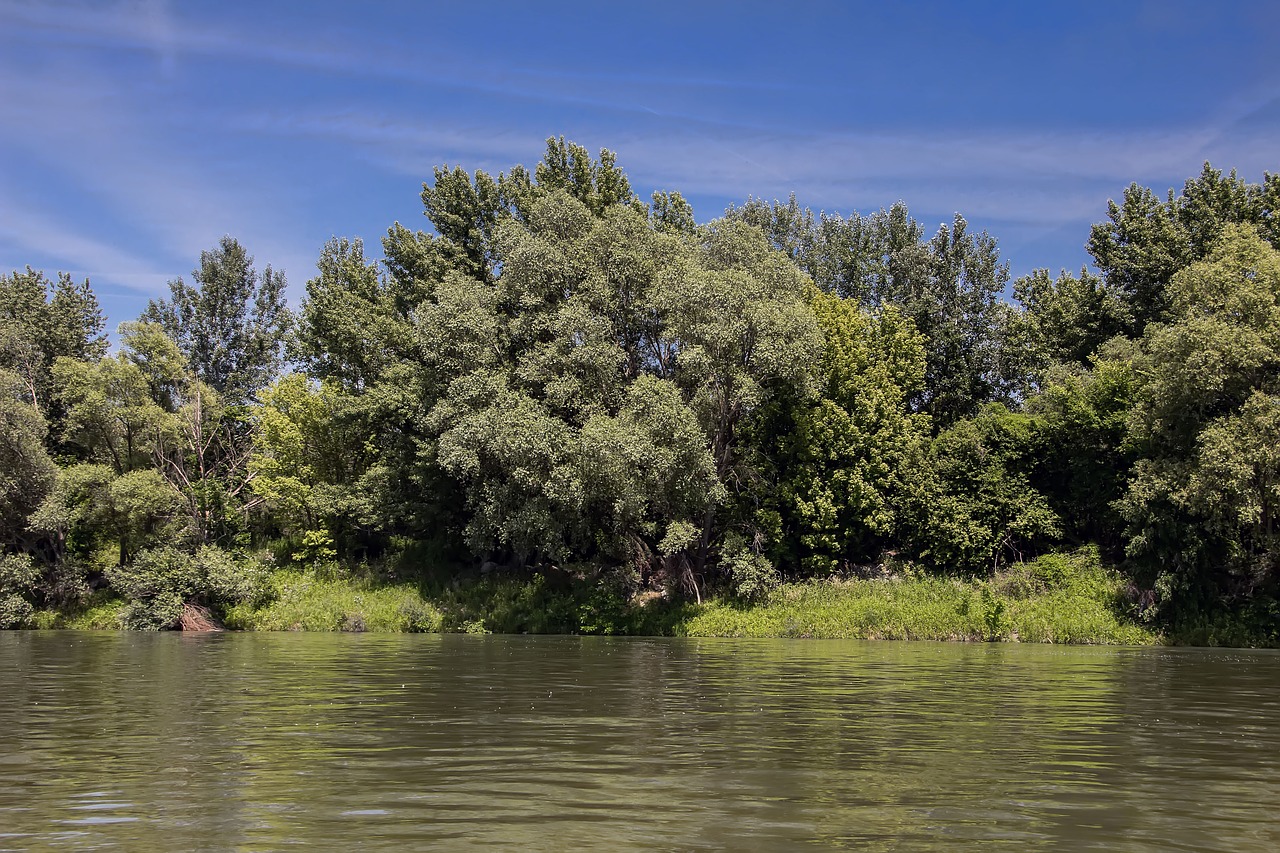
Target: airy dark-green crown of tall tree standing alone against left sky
231, 325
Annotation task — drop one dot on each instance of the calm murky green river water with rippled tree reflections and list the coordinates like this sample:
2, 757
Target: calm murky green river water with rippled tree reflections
263, 742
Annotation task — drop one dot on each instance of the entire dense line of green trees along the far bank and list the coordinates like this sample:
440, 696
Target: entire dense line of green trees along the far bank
563, 378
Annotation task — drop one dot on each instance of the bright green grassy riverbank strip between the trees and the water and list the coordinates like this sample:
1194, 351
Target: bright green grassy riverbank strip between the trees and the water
1058, 599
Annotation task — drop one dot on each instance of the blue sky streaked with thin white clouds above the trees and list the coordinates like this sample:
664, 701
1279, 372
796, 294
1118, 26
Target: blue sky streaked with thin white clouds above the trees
138, 134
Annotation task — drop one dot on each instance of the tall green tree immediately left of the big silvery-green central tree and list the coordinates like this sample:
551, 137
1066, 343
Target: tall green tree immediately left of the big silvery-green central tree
359, 336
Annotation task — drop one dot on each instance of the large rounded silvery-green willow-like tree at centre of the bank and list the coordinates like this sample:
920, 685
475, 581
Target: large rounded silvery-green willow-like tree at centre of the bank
606, 352
